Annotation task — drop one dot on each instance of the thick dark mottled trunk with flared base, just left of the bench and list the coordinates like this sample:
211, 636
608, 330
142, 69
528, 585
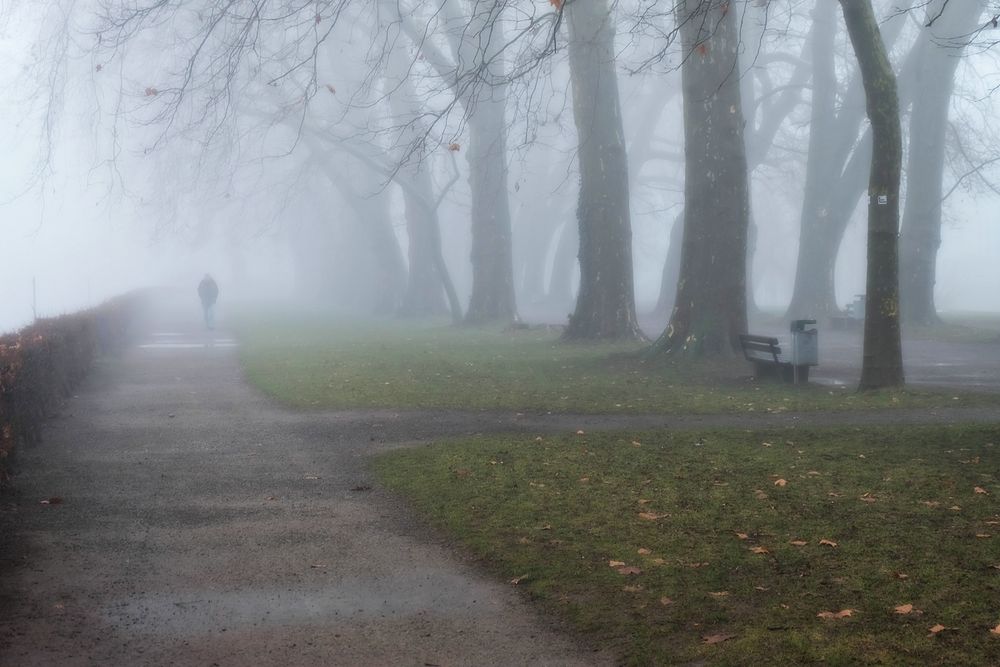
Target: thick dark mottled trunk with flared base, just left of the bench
710, 307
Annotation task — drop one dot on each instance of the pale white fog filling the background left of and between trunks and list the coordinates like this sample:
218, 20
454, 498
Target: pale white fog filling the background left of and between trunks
106, 187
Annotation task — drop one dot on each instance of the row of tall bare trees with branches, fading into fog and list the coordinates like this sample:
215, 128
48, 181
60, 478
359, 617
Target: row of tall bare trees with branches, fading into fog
690, 161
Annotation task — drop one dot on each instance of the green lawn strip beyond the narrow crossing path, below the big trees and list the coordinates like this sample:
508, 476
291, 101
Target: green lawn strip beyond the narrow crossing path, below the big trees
311, 362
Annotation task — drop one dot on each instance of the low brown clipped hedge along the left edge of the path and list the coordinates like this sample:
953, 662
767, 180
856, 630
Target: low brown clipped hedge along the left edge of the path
41, 363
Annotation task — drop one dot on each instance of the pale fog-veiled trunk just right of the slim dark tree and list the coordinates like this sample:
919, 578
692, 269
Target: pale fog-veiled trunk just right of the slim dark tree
940, 49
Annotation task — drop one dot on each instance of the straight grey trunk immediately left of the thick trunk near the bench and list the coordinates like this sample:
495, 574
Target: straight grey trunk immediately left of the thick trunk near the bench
605, 305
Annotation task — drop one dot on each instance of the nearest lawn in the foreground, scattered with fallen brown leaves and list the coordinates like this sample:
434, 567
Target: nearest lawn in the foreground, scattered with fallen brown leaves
730, 547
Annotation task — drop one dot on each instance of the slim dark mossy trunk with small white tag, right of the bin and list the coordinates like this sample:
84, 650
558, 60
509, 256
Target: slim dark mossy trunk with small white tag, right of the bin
882, 364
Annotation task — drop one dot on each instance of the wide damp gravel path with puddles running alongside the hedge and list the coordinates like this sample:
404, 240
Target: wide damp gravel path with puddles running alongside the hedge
201, 525
